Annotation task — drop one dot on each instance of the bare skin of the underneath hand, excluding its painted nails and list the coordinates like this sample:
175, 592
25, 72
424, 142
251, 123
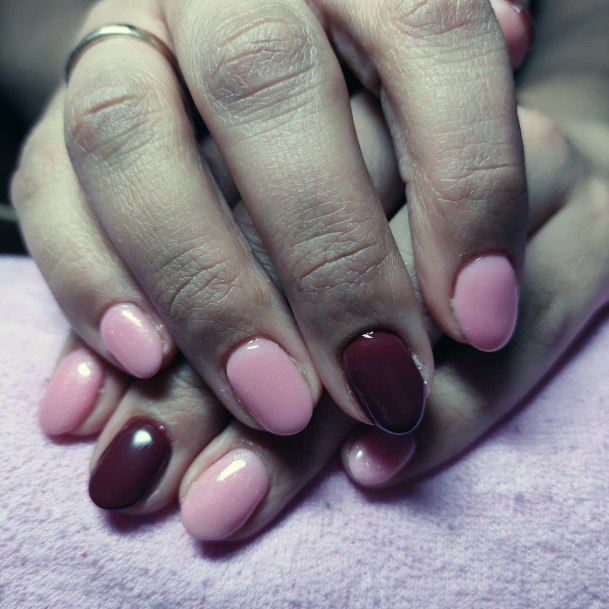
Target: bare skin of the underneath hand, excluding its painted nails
466, 401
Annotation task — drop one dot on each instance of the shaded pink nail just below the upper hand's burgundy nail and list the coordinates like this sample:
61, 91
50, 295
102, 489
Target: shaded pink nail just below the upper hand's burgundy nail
376, 457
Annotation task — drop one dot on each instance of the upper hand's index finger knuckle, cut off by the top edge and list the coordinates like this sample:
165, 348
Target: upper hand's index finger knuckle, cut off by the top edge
419, 19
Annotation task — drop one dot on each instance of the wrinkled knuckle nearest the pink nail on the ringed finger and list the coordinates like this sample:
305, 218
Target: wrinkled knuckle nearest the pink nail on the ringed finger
198, 284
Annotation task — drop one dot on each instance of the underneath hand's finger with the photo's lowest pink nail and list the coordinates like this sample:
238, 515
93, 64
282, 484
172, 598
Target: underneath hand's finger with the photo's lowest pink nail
243, 479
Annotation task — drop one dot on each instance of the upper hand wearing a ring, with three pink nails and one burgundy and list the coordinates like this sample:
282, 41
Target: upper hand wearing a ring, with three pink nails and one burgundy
130, 231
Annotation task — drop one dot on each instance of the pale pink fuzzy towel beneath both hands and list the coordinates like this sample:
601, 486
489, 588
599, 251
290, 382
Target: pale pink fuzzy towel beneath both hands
520, 522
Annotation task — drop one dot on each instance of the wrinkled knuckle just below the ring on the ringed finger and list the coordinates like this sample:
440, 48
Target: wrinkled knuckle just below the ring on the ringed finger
114, 119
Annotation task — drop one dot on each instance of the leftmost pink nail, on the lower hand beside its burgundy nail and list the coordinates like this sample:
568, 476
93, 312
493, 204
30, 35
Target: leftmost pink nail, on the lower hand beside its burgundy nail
72, 393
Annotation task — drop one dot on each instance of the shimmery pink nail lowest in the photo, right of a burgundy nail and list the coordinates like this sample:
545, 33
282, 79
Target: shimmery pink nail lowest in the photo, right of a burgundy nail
223, 498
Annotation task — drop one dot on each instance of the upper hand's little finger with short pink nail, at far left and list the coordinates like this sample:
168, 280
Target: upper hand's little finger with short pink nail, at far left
95, 291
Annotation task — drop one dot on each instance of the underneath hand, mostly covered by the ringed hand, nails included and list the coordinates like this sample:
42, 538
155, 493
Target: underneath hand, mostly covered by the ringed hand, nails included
268, 471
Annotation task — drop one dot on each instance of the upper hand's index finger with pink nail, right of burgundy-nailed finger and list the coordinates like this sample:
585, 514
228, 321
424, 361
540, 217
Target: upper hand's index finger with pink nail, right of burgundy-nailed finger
448, 95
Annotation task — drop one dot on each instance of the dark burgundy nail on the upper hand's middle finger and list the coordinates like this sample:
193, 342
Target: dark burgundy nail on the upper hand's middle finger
383, 374
